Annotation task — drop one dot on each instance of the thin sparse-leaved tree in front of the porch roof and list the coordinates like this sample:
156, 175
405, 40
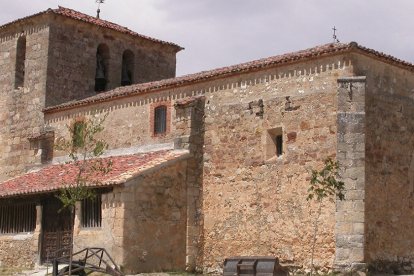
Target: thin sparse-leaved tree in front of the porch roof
83, 149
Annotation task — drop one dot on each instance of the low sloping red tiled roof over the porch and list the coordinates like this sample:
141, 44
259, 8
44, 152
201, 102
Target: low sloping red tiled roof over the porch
54, 177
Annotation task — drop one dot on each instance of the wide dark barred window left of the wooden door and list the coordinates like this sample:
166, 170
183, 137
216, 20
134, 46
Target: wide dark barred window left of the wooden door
17, 218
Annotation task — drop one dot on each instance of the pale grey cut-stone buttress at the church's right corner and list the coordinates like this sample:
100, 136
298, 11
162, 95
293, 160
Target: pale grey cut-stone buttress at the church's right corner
350, 212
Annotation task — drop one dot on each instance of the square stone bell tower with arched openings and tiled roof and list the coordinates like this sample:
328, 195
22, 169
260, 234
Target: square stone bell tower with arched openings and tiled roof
62, 55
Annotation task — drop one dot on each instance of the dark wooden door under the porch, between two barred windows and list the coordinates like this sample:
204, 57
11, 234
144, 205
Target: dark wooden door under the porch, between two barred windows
56, 230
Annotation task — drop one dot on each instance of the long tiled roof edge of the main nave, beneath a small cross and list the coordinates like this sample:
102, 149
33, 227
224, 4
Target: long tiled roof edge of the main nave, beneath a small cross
315, 52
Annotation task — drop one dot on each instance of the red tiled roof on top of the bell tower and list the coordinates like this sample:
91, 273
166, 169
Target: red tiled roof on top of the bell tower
93, 20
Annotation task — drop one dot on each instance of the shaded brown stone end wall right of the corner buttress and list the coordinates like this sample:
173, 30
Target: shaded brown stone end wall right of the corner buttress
389, 185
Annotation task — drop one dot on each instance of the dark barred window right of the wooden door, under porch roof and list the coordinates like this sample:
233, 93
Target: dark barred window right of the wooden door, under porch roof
92, 212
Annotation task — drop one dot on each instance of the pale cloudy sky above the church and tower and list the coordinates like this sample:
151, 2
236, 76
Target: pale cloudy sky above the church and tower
218, 33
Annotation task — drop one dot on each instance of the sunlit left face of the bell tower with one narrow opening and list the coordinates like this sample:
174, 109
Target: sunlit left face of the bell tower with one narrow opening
21, 107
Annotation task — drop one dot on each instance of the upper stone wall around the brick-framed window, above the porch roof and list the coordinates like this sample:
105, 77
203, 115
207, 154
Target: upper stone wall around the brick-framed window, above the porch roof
128, 123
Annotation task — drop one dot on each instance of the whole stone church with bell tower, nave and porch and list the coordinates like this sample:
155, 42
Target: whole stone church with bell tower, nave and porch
208, 165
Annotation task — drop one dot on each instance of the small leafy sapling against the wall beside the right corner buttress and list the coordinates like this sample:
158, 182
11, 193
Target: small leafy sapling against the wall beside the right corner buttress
324, 184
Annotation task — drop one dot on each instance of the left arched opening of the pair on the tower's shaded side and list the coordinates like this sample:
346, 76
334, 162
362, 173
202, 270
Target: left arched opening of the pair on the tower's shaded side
102, 64
